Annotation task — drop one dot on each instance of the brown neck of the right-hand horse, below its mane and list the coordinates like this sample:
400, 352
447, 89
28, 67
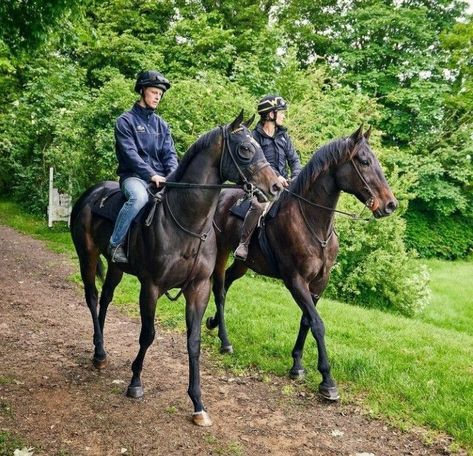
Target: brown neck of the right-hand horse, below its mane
323, 191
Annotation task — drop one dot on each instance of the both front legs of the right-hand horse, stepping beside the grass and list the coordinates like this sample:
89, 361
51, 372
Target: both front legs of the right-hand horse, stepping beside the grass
306, 301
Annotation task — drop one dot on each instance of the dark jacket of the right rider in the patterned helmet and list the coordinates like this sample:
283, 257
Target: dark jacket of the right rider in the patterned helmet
278, 150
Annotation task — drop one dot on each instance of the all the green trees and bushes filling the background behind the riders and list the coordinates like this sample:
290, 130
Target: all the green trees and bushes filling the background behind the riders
62, 100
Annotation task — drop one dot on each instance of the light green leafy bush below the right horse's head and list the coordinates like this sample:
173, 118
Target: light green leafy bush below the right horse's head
374, 269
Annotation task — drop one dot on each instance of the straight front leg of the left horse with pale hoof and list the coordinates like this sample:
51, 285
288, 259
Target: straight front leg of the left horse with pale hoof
197, 297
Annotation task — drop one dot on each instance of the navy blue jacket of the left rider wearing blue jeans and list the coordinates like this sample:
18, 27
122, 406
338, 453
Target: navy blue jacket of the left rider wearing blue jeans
143, 145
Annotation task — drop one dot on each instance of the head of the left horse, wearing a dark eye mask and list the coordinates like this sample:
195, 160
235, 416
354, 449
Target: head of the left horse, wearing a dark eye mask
243, 160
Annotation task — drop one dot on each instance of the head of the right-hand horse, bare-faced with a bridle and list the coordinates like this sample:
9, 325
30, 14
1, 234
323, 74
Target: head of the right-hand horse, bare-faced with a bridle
362, 176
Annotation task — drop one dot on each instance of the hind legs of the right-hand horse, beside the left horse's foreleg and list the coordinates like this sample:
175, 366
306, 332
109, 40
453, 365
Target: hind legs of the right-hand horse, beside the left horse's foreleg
222, 280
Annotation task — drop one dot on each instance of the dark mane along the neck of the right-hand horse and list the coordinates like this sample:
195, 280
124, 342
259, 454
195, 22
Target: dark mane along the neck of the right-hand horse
328, 155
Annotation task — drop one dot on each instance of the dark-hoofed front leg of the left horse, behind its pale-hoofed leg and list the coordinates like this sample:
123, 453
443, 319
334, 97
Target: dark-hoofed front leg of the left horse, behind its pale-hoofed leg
149, 294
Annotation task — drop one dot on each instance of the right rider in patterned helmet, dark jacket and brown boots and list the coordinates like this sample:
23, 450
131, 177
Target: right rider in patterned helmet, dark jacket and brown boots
278, 150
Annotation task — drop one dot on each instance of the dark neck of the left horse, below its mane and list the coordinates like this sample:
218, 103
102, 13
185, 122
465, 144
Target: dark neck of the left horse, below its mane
194, 207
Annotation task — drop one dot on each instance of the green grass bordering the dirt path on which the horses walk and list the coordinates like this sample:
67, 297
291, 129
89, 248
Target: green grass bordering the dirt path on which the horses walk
412, 371
